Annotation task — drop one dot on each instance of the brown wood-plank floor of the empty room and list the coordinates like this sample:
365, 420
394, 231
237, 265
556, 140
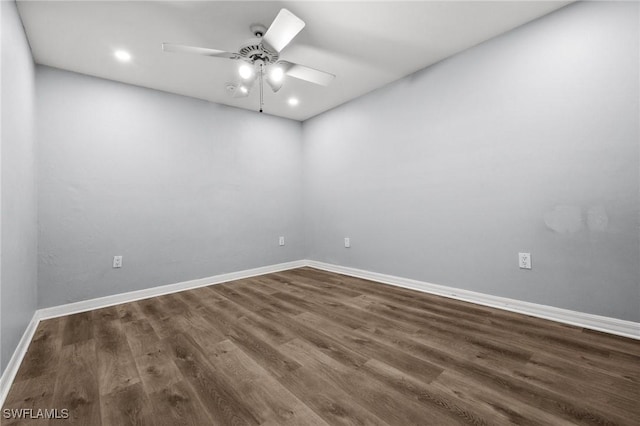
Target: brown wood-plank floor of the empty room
312, 347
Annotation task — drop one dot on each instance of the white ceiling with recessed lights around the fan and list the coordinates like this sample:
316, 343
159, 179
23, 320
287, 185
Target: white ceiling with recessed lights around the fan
366, 44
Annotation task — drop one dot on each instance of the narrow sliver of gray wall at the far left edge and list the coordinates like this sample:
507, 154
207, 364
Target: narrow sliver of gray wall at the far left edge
18, 248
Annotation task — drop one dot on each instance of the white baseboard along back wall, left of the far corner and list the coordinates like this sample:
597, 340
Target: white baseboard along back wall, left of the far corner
116, 299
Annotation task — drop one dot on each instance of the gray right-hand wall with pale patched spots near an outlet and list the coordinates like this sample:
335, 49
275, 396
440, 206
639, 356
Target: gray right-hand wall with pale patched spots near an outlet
526, 143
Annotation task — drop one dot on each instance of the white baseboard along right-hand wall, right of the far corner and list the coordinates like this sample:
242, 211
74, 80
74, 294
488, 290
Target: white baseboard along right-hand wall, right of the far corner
580, 319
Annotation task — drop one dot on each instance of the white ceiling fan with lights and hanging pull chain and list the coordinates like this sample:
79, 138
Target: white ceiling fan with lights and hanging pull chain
261, 57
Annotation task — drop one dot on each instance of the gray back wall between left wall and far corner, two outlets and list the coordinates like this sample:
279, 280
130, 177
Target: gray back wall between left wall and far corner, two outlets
181, 188
